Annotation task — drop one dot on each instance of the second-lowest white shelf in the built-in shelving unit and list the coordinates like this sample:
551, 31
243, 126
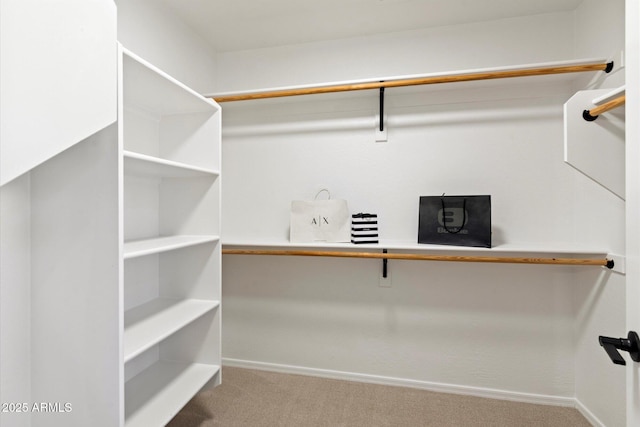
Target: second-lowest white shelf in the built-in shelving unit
150, 323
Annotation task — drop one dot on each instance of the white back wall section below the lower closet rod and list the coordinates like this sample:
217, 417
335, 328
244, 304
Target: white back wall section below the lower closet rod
459, 327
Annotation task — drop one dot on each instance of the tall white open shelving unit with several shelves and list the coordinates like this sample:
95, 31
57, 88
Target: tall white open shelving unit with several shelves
171, 252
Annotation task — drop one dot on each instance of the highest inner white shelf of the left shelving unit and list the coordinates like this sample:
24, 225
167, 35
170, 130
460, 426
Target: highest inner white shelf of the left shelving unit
144, 165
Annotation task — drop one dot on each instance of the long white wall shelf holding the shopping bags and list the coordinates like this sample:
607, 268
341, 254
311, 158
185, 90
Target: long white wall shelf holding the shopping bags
404, 246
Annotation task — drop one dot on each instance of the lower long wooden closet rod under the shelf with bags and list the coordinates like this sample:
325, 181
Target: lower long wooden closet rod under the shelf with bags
422, 257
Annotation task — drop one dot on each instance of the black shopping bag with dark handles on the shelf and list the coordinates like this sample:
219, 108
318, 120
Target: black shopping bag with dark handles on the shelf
455, 220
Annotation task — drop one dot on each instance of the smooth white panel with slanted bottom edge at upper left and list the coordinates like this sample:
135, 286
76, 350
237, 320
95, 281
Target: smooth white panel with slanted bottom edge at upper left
58, 71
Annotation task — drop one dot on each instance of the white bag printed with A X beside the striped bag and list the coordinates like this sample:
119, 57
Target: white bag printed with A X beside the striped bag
326, 220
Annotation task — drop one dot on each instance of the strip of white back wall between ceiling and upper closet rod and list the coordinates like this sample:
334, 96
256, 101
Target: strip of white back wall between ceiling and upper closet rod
503, 42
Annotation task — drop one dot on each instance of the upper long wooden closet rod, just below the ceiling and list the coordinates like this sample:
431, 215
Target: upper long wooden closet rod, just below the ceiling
454, 78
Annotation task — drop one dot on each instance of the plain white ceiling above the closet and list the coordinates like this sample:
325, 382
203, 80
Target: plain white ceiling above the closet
231, 25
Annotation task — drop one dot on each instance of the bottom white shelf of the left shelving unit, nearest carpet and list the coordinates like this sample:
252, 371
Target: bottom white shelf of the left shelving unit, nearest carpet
157, 394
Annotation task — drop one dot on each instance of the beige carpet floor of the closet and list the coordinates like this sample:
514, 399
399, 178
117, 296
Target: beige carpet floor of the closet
258, 398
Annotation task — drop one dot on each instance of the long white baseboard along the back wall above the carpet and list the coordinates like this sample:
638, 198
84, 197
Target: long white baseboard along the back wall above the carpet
424, 385
